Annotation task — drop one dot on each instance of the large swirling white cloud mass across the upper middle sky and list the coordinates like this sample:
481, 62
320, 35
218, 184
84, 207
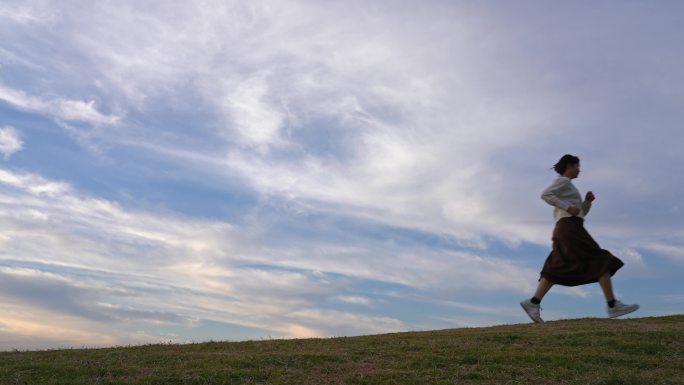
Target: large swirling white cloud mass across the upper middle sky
388, 120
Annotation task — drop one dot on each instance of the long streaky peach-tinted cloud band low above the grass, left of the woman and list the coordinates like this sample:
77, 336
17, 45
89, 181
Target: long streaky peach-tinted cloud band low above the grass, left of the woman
95, 261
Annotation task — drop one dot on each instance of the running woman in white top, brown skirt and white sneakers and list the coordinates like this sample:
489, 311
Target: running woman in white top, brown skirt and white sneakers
576, 259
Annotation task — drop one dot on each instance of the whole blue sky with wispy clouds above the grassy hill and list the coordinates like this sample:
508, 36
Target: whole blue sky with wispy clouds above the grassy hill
230, 170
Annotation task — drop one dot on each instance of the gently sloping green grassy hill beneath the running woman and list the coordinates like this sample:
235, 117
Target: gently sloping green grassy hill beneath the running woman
585, 351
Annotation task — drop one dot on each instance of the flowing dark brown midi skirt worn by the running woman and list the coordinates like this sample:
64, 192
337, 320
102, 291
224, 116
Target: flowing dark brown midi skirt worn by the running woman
576, 259
